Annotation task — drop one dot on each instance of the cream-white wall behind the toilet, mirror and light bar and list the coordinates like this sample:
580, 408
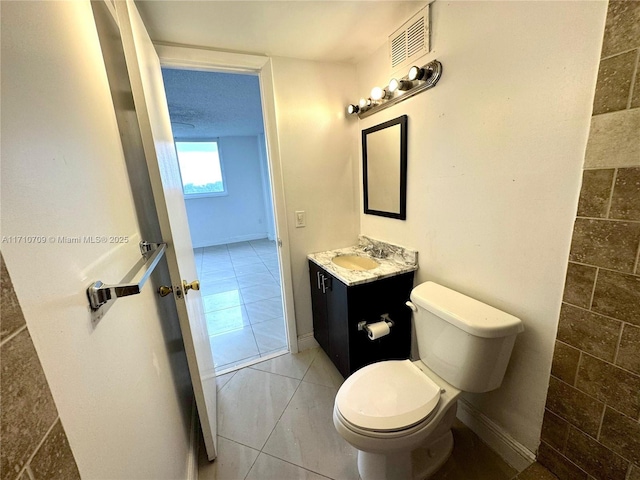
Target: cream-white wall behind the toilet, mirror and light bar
494, 167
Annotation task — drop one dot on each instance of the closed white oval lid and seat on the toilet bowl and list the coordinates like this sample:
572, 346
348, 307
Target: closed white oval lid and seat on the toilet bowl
387, 396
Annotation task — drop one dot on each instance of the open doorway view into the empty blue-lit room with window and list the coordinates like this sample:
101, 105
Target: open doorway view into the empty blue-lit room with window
217, 122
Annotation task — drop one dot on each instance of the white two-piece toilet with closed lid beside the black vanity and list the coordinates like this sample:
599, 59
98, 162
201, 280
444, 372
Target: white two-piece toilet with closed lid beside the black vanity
398, 413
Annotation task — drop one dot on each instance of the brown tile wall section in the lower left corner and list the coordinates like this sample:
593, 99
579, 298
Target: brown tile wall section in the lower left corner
34, 445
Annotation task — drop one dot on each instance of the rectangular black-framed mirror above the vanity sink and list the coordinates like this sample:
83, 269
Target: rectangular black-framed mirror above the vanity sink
384, 161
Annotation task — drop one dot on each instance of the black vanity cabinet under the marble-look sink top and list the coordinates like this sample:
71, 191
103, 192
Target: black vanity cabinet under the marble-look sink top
338, 308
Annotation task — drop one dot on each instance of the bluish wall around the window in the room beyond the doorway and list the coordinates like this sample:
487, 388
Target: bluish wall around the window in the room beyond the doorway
241, 215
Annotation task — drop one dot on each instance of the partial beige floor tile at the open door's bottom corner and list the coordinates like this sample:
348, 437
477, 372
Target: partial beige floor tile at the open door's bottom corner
233, 463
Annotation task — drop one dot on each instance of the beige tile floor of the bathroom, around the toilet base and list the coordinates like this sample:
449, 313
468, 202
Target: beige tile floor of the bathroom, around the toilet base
275, 422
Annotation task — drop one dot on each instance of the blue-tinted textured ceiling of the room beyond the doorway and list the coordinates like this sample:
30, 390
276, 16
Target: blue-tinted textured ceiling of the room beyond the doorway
203, 104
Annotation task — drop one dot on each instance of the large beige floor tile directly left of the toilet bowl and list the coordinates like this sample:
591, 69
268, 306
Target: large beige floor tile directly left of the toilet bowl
305, 435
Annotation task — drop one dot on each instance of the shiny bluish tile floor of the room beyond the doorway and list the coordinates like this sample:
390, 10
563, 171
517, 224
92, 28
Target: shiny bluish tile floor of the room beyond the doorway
241, 293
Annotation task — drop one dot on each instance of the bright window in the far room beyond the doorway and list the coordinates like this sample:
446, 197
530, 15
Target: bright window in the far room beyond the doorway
201, 169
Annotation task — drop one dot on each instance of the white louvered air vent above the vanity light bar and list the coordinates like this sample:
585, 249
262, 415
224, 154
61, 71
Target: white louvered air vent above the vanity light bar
410, 41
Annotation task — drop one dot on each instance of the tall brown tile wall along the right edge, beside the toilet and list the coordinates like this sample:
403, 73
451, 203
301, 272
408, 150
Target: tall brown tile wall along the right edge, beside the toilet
591, 426
